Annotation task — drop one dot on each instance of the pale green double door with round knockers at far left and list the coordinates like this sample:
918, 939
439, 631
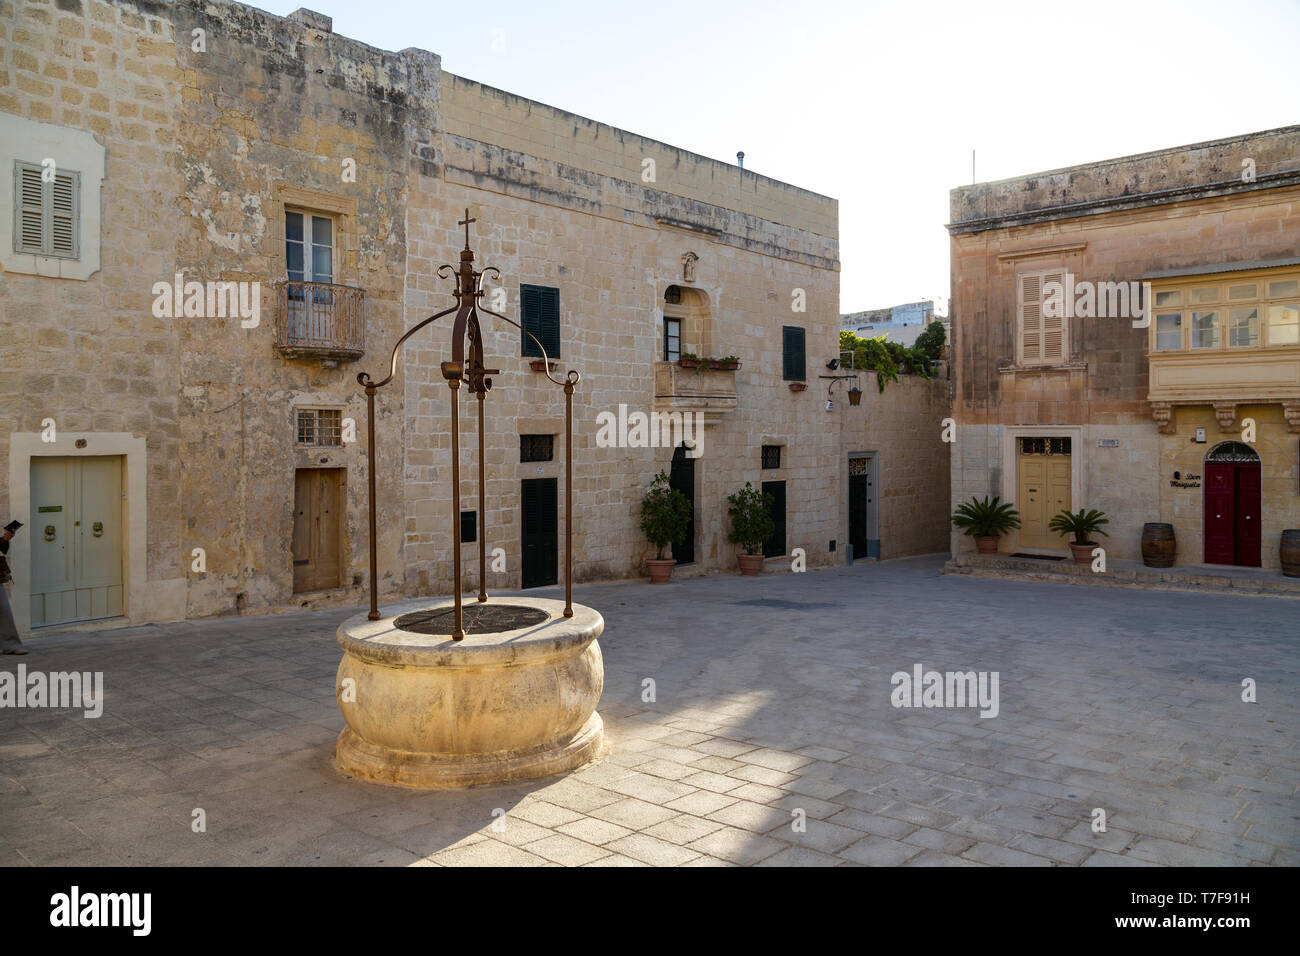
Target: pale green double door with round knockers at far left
76, 539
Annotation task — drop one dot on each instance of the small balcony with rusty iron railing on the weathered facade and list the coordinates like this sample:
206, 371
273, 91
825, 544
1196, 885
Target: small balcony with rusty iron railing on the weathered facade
320, 321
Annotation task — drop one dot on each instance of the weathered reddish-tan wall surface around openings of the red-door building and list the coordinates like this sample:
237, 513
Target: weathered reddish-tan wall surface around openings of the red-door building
1117, 222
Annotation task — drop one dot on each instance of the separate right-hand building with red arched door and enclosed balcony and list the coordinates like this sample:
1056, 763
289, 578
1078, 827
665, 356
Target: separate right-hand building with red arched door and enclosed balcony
1125, 339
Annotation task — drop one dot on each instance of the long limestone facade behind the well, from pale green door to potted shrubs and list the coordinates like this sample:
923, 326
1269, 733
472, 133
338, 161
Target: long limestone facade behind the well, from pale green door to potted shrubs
220, 217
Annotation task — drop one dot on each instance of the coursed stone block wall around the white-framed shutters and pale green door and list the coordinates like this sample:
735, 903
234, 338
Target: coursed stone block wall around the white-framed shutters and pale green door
89, 354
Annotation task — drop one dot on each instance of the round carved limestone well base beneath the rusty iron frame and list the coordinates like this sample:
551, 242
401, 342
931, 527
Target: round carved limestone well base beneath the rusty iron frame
514, 700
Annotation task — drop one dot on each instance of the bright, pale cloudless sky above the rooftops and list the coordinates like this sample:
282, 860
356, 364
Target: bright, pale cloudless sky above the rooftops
877, 105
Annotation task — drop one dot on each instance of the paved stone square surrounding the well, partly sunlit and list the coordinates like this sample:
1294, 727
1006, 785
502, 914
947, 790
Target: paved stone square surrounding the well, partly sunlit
772, 707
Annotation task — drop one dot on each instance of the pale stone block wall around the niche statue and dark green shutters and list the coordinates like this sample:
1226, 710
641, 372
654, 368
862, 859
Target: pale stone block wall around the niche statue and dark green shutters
577, 215
